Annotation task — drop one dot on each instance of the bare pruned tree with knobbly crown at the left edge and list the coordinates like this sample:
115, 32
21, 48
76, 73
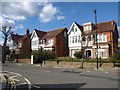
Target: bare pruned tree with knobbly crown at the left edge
6, 32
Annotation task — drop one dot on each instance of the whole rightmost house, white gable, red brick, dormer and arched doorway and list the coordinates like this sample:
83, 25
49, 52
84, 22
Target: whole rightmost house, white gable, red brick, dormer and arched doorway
107, 39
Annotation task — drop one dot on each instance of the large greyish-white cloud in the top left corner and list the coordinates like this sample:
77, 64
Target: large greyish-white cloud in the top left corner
19, 10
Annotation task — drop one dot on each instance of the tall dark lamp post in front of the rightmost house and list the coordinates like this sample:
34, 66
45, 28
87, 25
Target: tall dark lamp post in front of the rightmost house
95, 28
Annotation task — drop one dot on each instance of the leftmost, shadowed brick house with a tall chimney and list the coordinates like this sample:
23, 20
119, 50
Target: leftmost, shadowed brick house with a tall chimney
21, 42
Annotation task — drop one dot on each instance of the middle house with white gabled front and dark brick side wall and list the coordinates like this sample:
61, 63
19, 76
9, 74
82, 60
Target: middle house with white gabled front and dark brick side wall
55, 40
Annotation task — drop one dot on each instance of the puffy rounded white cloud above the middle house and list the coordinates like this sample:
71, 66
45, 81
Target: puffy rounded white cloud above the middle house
48, 13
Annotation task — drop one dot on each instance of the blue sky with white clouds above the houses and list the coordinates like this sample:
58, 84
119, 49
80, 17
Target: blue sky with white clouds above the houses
48, 16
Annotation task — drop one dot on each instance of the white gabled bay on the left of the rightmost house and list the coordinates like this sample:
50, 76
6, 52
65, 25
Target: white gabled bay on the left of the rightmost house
74, 38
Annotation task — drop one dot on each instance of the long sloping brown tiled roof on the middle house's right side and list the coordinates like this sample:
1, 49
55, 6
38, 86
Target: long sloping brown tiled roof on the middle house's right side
53, 33
